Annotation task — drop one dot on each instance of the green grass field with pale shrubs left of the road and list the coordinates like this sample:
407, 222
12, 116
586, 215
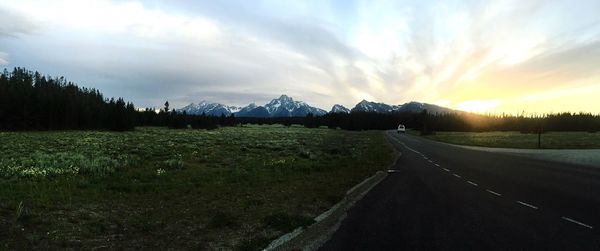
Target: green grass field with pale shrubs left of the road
230, 188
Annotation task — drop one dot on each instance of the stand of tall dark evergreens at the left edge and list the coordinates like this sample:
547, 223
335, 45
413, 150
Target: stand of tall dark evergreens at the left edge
32, 101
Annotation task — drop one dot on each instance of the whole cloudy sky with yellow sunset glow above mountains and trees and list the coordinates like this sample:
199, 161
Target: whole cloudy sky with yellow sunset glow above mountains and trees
480, 56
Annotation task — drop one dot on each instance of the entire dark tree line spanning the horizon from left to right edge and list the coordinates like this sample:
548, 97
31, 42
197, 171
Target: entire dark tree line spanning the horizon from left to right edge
32, 101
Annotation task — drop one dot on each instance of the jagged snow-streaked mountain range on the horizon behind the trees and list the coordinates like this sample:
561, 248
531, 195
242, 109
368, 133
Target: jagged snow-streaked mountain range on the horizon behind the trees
285, 106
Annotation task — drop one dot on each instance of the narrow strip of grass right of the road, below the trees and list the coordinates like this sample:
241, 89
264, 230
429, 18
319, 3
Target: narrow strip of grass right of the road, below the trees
550, 140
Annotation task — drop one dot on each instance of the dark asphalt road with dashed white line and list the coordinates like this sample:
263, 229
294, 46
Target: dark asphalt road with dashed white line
444, 197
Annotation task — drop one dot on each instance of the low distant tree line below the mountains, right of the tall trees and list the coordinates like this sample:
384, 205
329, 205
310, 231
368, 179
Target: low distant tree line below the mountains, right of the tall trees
424, 121
